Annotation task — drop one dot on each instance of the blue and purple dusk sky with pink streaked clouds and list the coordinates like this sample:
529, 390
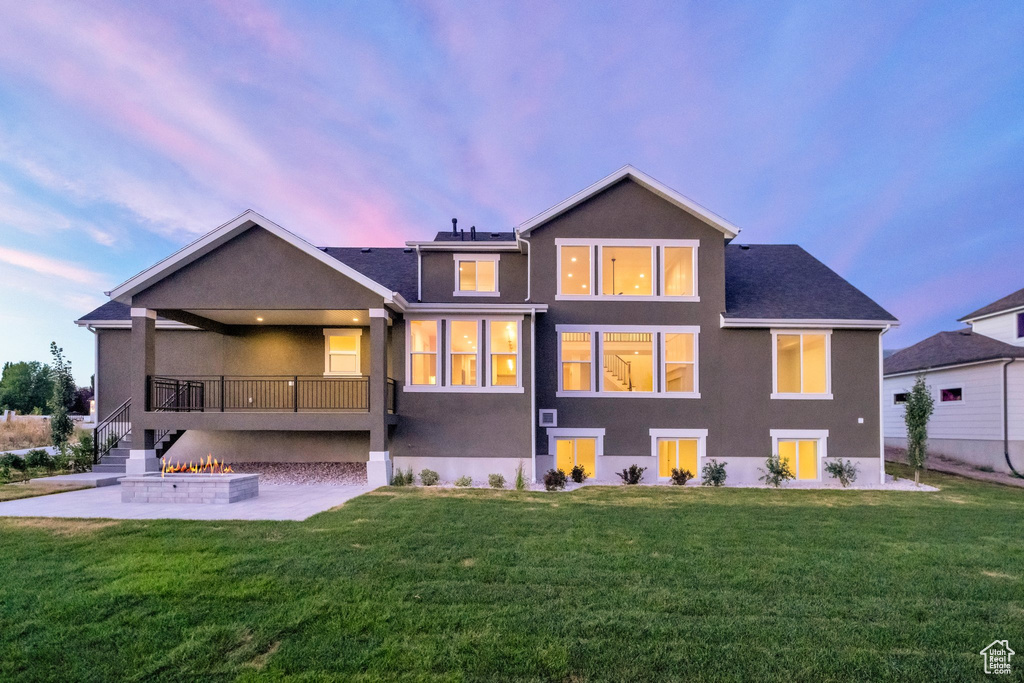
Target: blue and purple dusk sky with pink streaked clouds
886, 139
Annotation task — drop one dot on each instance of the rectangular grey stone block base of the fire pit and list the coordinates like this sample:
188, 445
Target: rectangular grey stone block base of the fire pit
217, 489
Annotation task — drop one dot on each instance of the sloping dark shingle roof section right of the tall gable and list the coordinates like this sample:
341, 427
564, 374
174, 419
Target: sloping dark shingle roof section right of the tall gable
785, 282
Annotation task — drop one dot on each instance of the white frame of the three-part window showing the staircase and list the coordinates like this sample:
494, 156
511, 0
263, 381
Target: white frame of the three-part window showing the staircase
598, 360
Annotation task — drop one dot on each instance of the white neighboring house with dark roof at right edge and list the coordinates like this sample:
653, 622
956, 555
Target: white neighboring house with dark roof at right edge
976, 376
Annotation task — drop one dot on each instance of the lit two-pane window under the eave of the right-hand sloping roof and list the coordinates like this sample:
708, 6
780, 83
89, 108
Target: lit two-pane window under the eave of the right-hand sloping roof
802, 365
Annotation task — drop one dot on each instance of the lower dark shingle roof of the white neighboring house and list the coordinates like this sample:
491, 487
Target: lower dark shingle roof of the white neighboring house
950, 349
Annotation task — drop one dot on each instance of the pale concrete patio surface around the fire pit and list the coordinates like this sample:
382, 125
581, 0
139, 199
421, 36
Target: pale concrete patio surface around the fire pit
276, 502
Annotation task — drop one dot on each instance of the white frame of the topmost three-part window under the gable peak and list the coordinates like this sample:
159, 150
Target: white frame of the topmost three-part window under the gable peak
658, 266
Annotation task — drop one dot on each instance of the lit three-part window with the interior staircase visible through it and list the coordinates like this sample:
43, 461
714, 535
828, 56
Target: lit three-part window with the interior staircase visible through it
612, 361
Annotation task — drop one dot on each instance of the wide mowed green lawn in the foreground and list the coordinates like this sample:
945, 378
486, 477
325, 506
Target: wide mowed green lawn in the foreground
604, 583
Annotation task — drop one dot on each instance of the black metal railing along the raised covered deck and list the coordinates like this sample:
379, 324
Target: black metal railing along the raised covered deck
269, 395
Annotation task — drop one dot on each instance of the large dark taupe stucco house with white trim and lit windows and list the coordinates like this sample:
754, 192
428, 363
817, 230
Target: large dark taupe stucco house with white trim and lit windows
619, 327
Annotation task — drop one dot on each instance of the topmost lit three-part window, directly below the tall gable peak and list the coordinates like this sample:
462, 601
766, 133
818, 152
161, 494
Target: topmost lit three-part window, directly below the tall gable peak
623, 269
